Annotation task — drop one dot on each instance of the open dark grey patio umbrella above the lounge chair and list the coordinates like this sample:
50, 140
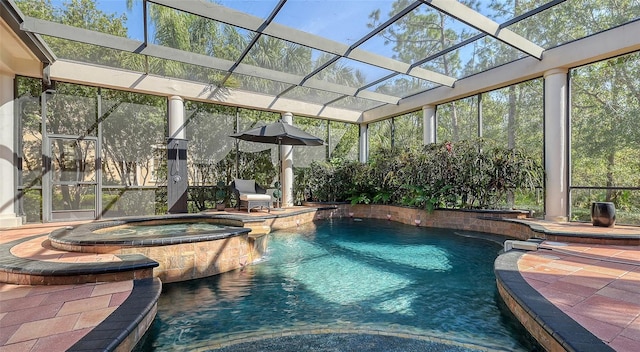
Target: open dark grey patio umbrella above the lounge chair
280, 133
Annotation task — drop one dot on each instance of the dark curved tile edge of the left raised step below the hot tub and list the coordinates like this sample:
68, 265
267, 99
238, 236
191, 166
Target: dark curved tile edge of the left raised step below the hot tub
24, 266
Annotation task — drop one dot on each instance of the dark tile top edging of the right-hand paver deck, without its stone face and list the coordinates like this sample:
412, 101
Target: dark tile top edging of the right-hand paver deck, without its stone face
566, 331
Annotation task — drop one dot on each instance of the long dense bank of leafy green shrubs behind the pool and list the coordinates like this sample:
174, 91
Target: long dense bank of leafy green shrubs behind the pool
468, 174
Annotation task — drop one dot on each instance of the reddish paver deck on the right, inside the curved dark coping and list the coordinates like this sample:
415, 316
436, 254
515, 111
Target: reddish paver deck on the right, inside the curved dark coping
598, 286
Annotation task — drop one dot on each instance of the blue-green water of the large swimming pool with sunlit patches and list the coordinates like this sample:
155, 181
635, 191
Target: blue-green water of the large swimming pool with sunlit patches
371, 277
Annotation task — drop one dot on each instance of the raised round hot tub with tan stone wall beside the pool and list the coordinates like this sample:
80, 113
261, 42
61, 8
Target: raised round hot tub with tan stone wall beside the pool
186, 247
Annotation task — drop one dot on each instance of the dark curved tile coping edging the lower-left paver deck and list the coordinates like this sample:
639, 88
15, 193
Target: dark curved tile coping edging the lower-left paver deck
127, 323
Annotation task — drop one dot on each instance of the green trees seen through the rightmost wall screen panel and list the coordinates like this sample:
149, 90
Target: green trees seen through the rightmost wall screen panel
605, 125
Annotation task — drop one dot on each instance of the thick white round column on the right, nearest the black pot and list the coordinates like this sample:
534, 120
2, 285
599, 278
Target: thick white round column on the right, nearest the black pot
556, 145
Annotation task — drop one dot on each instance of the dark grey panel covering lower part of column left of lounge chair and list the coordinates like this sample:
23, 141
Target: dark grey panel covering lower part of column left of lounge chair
177, 175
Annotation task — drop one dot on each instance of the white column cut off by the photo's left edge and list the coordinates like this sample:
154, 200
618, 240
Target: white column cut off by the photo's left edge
8, 217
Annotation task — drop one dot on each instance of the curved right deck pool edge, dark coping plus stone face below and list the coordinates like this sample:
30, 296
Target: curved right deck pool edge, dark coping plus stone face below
553, 329
